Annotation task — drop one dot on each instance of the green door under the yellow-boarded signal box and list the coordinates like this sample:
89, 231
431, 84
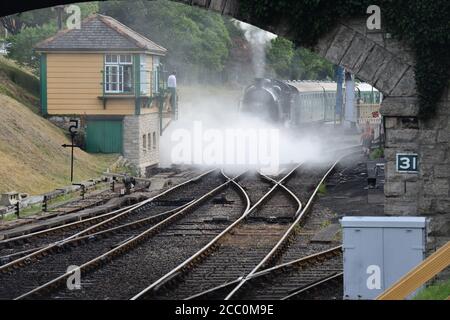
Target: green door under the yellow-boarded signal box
104, 136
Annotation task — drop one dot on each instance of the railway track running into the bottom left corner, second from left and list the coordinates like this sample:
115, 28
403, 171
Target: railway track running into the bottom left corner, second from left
41, 266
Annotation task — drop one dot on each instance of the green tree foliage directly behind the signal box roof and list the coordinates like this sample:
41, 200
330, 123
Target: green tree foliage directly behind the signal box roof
193, 37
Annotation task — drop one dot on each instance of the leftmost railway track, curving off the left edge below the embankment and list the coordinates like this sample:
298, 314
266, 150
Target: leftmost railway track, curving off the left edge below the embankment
14, 248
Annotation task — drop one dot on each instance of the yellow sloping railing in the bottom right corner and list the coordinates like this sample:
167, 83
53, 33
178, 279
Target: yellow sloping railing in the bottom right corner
415, 278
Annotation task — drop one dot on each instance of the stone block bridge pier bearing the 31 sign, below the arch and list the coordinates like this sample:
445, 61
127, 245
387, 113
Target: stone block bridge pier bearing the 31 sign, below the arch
428, 192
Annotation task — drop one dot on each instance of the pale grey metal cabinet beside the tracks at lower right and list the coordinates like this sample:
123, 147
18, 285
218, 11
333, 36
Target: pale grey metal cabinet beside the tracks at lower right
378, 251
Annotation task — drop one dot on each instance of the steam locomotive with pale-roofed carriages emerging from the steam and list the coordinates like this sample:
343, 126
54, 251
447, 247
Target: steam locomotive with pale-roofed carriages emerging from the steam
294, 103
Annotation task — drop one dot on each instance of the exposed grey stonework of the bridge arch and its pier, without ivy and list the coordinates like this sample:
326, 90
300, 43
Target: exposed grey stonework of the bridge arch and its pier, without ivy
388, 64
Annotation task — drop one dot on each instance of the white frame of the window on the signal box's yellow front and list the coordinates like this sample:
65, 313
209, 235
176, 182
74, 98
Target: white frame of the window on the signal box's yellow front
116, 61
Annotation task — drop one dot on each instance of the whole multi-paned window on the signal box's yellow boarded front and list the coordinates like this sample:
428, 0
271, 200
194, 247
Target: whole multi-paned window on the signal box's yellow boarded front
118, 73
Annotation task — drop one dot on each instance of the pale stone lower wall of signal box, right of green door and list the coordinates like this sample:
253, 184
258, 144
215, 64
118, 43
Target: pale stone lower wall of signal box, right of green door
137, 130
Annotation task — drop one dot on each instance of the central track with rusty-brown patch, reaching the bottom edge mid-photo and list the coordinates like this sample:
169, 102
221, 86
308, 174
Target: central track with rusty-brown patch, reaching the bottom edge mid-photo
239, 249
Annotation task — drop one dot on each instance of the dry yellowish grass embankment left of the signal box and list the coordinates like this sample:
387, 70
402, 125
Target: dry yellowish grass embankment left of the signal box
31, 157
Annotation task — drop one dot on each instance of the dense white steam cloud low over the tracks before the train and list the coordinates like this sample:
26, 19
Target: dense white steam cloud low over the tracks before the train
291, 147
